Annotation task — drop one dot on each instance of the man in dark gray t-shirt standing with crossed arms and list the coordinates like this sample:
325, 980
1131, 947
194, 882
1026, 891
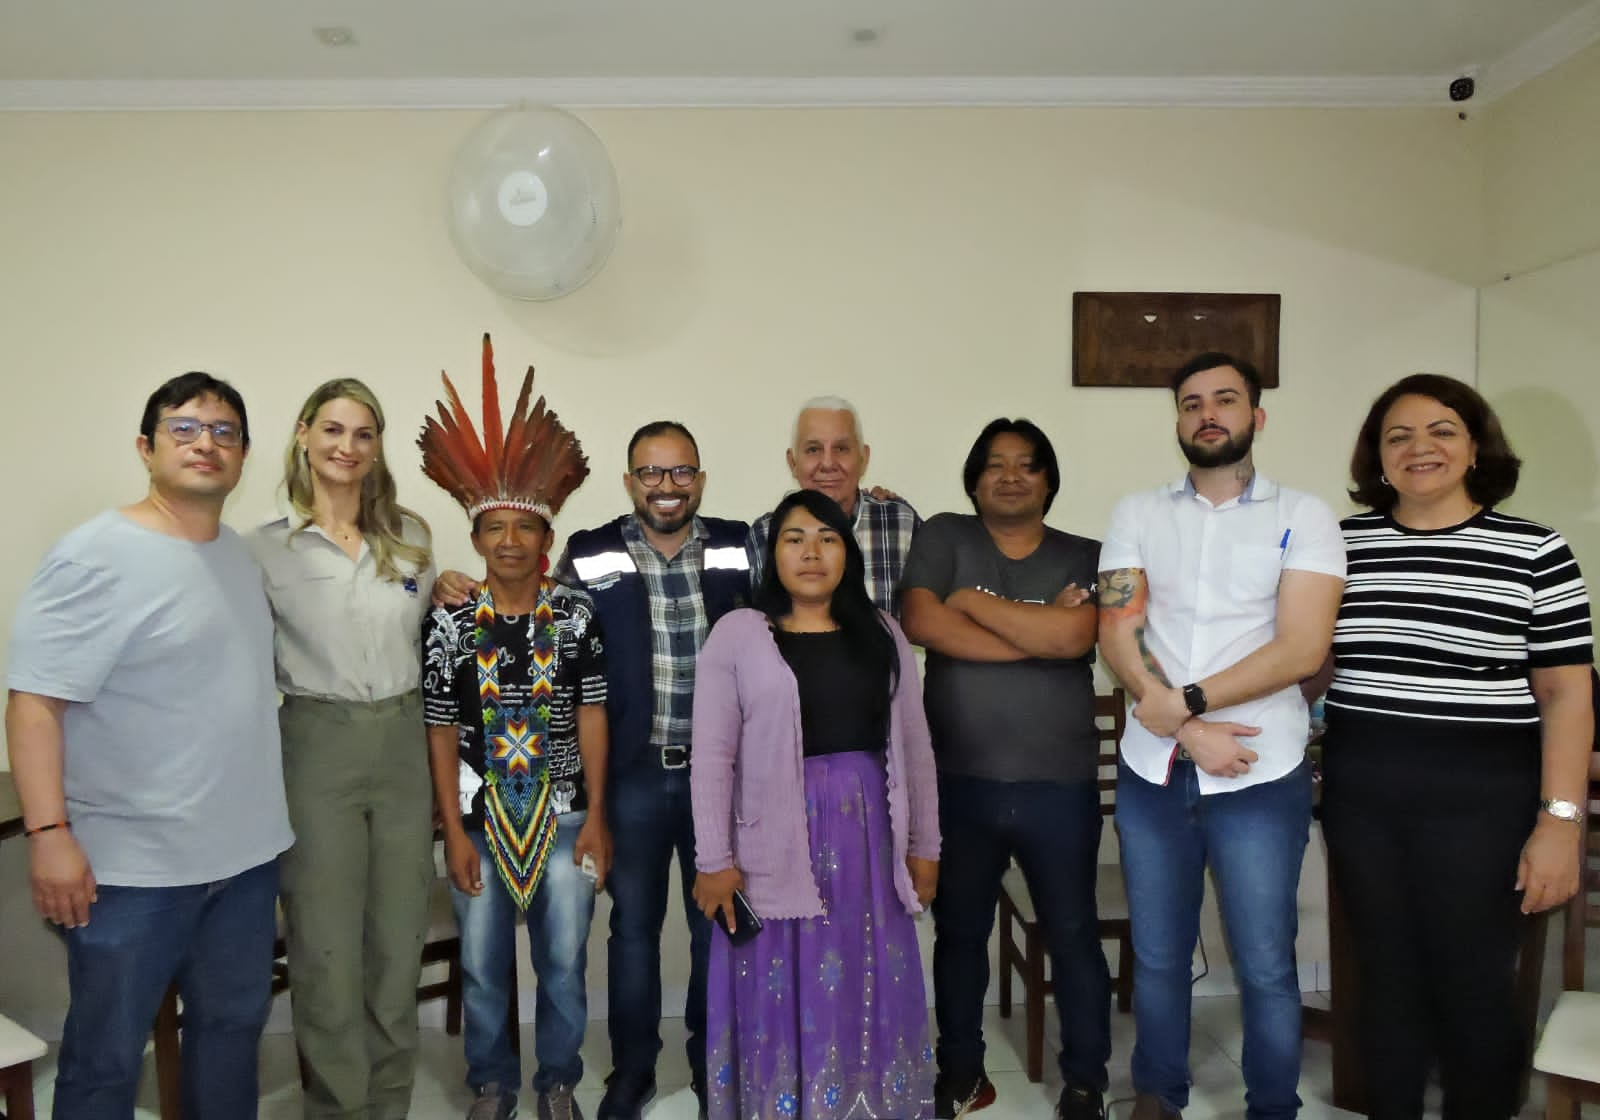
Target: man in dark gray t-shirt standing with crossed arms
1001, 604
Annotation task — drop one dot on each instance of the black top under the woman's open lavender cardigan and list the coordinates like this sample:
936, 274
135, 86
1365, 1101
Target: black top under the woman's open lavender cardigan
844, 698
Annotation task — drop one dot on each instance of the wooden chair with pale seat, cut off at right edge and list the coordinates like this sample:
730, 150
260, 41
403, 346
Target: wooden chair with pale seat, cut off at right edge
1569, 1052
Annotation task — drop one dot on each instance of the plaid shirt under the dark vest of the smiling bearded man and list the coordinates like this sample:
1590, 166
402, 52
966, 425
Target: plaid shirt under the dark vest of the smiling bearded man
678, 628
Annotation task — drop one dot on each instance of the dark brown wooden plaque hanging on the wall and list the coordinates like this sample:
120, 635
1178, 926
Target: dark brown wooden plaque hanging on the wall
1140, 338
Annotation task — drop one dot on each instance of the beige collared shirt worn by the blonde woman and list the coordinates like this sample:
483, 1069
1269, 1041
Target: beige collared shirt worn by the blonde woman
342, 633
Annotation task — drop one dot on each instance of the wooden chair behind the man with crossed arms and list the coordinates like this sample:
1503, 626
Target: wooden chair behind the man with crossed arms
1017, 908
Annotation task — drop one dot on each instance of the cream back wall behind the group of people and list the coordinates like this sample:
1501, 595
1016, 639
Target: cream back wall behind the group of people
919, 262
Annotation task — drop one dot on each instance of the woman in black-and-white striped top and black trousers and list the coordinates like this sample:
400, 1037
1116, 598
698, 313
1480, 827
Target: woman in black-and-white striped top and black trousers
1458, 743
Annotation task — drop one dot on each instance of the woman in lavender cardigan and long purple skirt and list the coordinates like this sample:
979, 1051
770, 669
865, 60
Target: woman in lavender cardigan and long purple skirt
814, 791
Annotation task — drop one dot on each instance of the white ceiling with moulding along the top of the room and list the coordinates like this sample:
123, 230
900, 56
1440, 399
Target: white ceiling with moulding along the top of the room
66, 54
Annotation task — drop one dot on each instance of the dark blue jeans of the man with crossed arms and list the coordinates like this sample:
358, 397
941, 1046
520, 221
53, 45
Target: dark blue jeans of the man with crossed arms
1054, 830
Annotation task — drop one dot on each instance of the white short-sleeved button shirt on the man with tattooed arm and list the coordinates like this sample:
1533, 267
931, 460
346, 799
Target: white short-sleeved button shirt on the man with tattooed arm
1214, 580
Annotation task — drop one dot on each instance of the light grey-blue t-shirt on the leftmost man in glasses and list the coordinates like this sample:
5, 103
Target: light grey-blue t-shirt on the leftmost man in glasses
164, 649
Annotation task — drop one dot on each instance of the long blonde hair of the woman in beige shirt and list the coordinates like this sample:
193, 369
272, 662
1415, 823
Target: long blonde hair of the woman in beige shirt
382, 519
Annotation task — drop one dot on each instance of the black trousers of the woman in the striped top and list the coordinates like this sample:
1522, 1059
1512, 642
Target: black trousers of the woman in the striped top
1423, 842
